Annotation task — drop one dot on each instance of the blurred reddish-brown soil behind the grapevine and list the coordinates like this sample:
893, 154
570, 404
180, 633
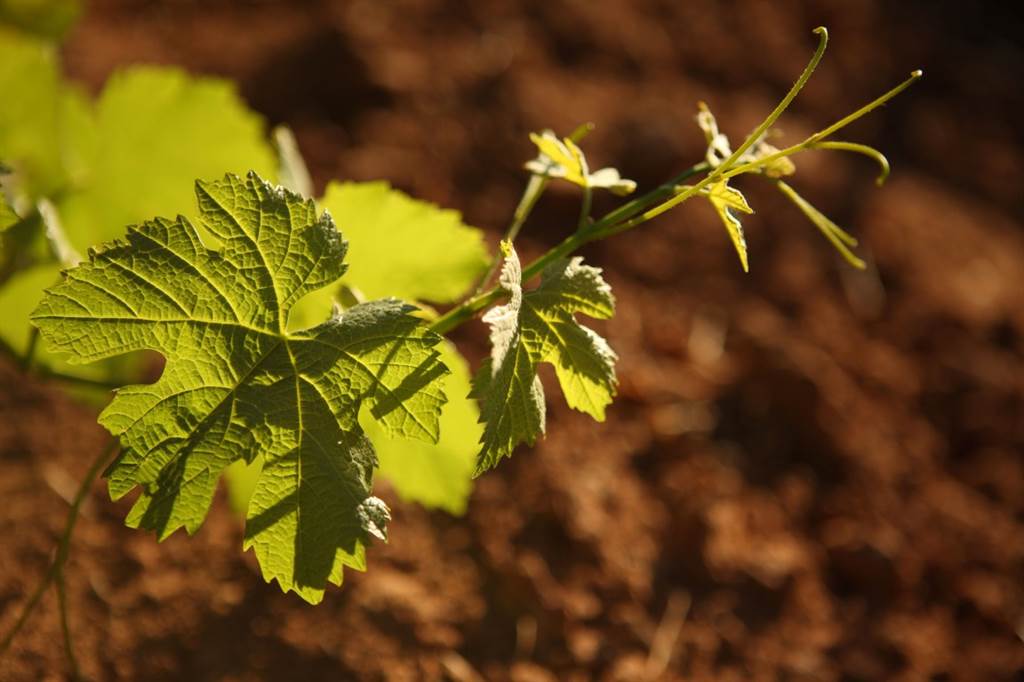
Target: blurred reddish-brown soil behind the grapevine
810, 475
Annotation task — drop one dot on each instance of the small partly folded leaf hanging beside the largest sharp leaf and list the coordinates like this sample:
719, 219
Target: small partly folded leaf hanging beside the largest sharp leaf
540, 327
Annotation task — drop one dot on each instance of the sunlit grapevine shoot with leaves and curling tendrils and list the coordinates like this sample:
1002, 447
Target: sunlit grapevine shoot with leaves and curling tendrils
275, 358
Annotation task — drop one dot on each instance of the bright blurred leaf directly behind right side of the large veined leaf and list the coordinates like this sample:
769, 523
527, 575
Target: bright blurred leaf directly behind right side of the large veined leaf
418, 251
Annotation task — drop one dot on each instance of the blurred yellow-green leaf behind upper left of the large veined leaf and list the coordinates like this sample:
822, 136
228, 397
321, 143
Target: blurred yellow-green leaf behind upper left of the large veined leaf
155, 131
